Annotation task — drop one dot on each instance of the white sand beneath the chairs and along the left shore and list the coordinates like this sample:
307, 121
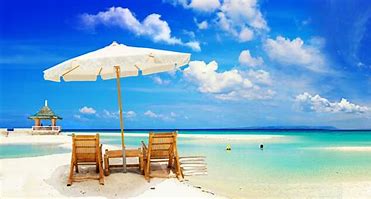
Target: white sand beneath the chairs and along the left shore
46, 177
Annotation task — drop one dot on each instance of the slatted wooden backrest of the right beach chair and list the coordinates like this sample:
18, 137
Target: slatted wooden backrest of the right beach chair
162, 145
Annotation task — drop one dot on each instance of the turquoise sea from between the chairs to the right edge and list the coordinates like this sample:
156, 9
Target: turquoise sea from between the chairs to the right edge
296, 158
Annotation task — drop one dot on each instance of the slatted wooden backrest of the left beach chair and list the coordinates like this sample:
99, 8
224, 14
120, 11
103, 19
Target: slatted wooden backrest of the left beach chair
85, 147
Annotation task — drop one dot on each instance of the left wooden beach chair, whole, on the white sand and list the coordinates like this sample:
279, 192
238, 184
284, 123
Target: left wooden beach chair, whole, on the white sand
86, 150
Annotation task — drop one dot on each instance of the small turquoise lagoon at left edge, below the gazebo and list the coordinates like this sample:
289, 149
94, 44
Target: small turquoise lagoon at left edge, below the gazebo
29, 150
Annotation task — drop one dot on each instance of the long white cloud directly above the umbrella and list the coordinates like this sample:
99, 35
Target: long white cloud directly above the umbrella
152, 26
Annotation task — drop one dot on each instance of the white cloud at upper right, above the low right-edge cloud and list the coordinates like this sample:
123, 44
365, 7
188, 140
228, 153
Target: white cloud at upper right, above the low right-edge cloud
295, 52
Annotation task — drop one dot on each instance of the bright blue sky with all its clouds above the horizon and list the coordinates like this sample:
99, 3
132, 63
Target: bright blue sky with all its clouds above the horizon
254, 63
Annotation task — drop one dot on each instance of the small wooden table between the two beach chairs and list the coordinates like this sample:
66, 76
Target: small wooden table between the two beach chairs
130, 153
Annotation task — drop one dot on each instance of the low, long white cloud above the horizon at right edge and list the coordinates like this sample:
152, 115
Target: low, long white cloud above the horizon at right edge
317, 103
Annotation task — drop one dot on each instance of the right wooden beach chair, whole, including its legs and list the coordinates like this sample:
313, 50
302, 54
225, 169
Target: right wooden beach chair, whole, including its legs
161, 148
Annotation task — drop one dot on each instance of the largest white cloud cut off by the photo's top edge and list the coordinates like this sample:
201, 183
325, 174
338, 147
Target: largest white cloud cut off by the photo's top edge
240, 17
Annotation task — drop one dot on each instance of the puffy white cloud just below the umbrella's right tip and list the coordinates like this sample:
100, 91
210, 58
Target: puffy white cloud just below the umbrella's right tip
228, 85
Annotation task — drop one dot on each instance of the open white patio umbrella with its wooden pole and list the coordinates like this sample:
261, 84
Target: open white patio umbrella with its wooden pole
116, 61
